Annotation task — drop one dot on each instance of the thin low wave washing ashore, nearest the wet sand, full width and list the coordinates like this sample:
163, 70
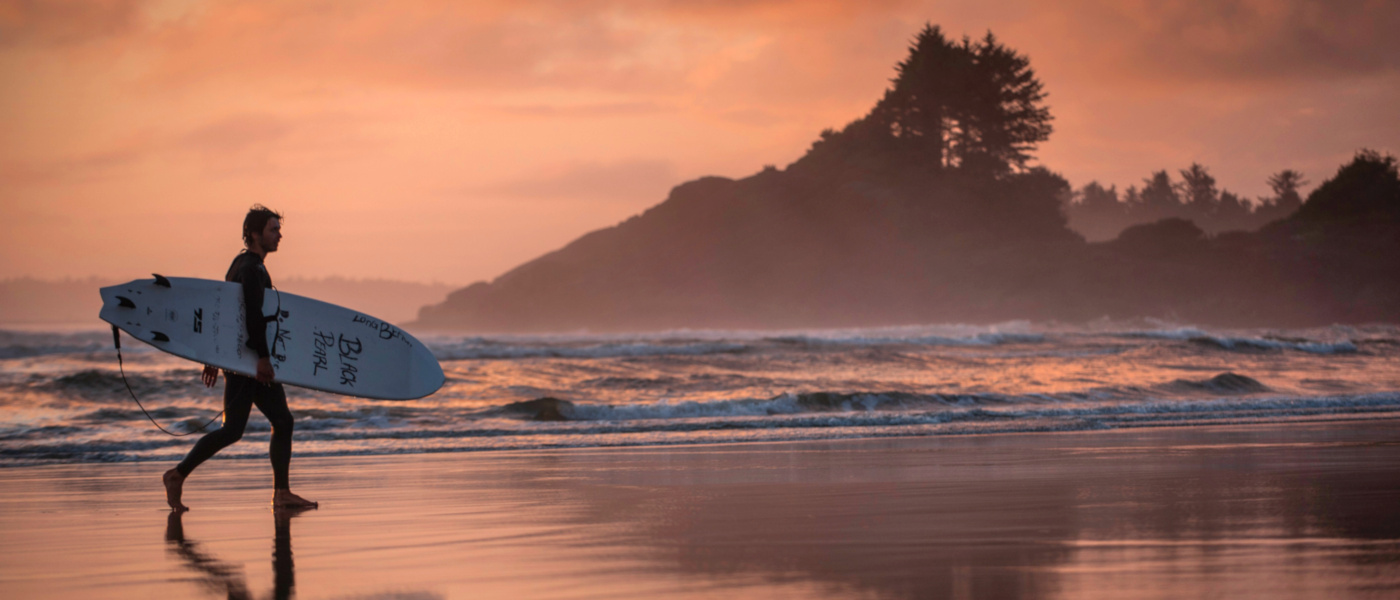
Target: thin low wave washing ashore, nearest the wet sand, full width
969, 420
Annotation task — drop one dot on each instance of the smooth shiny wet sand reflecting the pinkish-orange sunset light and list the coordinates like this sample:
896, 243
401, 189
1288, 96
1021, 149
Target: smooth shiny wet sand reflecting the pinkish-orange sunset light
1268, 511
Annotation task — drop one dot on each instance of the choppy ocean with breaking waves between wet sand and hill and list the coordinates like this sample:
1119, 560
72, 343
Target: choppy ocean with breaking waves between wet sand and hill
64, 401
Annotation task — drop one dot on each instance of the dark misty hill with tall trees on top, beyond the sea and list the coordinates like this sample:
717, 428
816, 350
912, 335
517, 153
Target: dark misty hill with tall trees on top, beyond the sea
927, 210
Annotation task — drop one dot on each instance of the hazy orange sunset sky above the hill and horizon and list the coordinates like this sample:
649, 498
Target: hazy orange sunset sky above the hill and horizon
453, 141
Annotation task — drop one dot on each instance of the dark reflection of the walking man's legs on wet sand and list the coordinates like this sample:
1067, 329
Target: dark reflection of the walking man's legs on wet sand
229, 578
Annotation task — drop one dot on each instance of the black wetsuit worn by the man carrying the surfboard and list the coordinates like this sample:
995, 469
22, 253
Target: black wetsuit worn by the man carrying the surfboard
243, 392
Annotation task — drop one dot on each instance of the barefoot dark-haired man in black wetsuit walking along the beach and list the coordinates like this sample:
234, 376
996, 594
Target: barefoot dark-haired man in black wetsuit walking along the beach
262, 234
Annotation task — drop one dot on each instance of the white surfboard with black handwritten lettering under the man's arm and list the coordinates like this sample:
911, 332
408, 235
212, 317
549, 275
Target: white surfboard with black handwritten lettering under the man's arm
314, 345
